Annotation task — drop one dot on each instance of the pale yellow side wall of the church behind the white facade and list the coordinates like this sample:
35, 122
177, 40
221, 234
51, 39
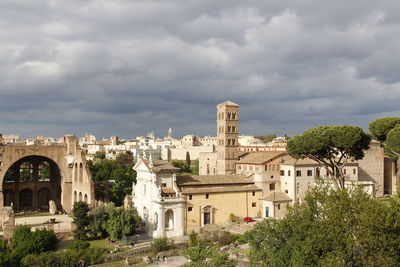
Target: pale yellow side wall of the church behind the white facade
238, 203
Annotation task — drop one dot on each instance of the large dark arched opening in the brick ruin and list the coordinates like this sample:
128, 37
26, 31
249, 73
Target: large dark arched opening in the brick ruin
30, 183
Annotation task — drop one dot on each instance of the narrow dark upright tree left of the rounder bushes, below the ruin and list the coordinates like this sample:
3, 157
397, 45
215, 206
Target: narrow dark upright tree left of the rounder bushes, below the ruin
81, 219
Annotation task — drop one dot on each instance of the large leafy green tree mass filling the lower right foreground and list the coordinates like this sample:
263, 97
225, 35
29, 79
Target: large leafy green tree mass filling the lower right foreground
332, 228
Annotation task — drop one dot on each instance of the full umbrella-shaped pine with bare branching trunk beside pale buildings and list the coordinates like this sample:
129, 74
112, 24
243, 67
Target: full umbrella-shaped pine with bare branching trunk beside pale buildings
331, 146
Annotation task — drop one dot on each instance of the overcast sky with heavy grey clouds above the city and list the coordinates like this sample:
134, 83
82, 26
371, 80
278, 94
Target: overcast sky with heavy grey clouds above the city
128, 67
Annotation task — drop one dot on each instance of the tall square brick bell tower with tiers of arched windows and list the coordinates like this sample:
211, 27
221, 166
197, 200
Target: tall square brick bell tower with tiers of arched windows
227, 135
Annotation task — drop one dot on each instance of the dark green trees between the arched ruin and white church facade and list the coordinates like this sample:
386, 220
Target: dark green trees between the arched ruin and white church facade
120, 171
